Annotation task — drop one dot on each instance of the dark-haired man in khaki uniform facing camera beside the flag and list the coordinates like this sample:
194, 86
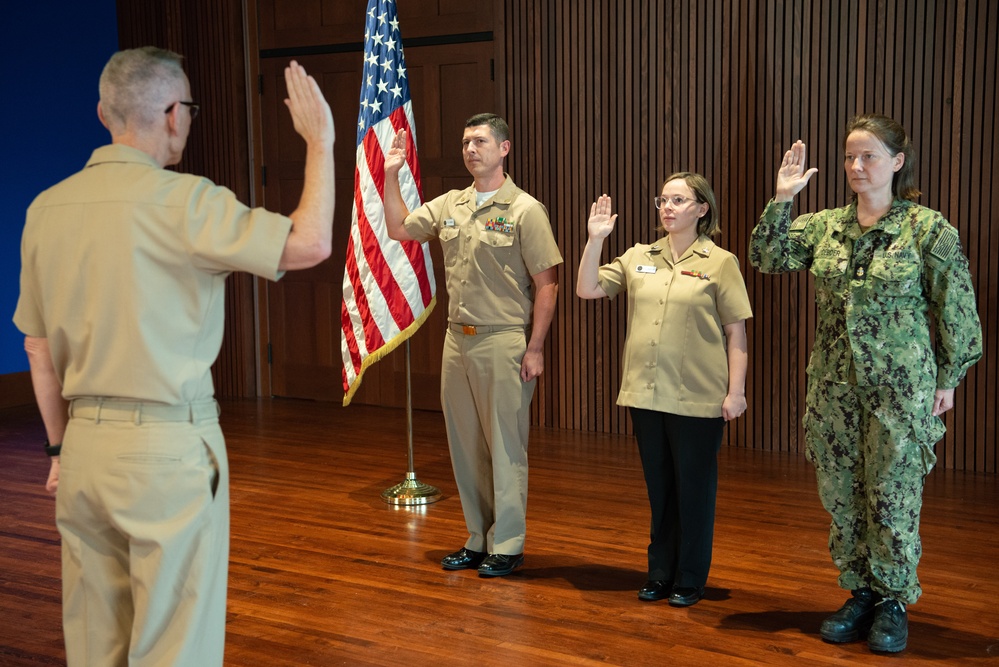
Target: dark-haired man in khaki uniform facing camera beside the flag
500, 261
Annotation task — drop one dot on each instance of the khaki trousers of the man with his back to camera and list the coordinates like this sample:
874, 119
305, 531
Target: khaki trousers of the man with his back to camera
143, 511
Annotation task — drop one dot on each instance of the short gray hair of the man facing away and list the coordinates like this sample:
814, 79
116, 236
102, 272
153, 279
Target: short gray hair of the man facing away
137, 85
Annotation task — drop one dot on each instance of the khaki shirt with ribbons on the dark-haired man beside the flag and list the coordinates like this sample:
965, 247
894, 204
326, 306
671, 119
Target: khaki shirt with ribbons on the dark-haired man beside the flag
490, 252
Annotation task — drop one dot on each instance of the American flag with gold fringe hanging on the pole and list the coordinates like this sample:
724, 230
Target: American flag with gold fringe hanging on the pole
388, 287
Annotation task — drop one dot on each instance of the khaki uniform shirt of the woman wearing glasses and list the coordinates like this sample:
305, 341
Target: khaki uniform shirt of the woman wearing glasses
675, 355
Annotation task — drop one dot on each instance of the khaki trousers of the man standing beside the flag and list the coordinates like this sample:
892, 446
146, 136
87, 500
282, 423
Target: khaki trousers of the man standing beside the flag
487, 414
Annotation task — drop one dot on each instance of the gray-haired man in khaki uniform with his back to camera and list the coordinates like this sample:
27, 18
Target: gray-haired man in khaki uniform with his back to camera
122, 305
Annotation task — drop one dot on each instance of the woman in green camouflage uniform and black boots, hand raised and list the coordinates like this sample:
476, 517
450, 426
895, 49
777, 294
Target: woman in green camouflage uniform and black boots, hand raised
885, 269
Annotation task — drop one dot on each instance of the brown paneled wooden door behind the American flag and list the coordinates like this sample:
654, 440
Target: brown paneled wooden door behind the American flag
448, 83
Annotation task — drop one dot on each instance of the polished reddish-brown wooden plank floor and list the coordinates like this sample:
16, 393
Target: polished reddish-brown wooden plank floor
323, 572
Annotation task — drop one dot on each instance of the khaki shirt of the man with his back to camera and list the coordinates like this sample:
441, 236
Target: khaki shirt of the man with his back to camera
123, 271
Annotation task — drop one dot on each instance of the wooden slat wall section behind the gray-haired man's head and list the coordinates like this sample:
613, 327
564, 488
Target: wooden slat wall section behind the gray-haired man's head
210, 37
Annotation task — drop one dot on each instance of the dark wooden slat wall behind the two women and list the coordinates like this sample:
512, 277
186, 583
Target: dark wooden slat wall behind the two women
612, 95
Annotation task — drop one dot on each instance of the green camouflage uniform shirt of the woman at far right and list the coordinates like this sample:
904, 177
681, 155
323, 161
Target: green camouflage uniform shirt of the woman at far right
876, 291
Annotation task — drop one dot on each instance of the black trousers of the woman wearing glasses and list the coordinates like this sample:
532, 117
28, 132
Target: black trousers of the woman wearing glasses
680, 461
